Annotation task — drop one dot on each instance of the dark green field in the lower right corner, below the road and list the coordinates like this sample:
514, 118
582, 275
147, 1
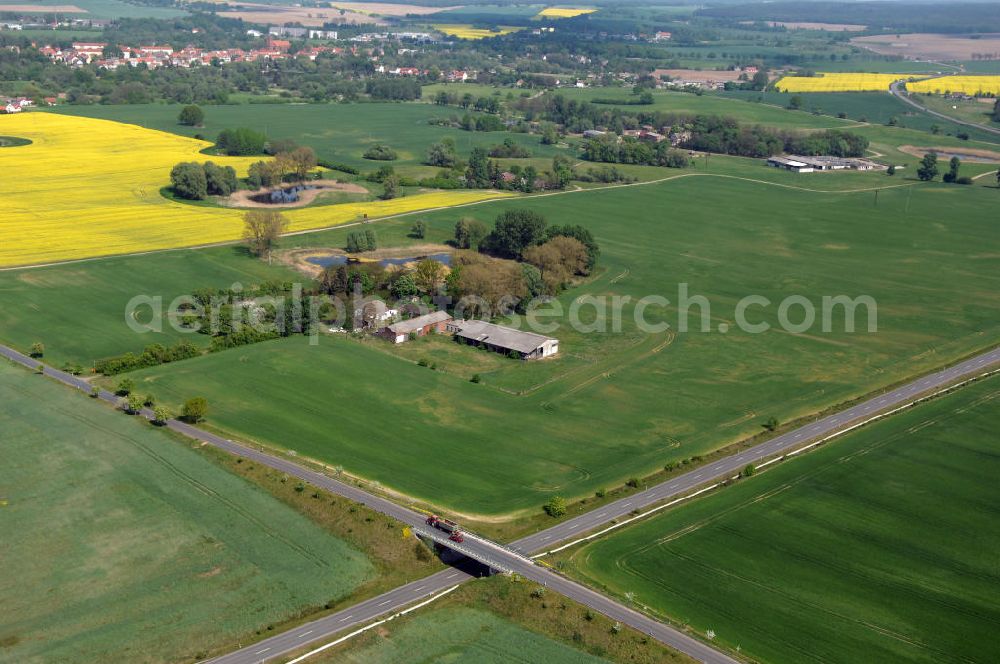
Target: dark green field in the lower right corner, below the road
878, 547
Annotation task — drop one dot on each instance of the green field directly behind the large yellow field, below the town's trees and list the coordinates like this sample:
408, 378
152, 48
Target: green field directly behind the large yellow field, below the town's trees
338, 132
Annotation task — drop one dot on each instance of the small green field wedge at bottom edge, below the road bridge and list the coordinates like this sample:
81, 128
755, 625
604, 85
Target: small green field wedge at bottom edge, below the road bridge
462, 633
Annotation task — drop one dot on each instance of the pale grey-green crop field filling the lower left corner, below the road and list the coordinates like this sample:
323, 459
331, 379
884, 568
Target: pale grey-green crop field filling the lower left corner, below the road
122, 544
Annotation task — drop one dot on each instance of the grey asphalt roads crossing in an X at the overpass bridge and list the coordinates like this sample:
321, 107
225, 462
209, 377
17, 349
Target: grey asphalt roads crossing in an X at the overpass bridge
515, 557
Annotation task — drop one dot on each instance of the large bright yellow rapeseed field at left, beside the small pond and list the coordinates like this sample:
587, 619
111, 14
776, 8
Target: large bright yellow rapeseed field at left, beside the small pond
87, 188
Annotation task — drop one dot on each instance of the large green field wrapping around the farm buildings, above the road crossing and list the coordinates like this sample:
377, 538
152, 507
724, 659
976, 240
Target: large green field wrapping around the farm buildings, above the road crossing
617, 404
